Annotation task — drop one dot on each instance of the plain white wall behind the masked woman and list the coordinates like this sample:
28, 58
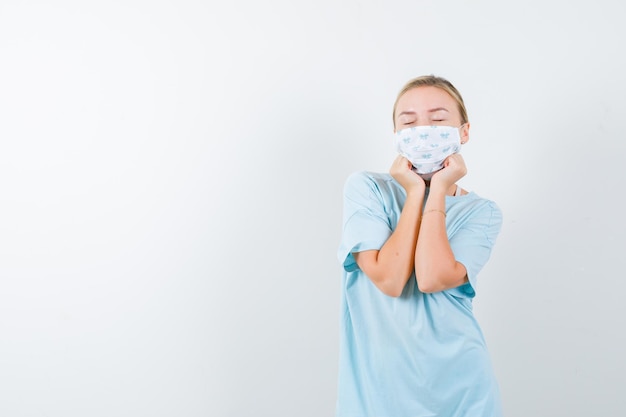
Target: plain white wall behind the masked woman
170, 196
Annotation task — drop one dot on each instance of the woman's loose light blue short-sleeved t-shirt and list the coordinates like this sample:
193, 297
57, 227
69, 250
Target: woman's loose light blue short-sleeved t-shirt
419, 354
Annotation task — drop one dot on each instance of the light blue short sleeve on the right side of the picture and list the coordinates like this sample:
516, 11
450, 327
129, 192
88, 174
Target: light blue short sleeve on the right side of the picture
473, 242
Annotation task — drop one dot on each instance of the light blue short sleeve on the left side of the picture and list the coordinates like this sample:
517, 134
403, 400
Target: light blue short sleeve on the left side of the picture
366, 225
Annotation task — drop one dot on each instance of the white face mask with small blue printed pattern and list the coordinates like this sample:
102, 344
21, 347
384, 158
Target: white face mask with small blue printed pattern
426, 147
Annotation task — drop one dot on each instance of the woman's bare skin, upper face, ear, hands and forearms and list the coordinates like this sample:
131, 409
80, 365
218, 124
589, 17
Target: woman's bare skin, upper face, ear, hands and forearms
419, 244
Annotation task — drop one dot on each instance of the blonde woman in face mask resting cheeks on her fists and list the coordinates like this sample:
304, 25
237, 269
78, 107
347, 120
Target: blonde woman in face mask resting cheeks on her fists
412, 246
